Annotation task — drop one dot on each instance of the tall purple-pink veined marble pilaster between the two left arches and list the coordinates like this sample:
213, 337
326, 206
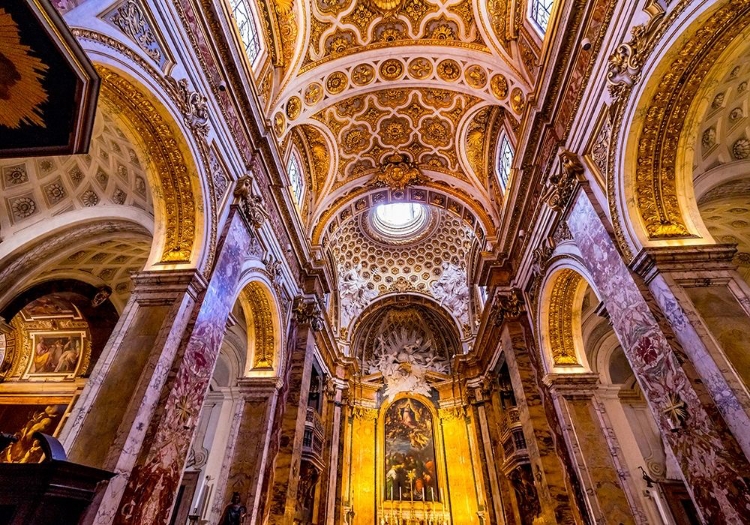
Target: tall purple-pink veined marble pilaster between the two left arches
153, 483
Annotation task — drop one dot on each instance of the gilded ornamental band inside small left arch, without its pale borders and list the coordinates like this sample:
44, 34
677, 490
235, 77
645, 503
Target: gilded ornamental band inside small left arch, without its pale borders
258, 310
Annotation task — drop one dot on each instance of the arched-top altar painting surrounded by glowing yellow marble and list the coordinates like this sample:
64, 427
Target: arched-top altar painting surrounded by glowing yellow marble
410, 466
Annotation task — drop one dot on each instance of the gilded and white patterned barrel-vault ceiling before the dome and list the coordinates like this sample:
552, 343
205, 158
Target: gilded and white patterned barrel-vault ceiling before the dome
430, 80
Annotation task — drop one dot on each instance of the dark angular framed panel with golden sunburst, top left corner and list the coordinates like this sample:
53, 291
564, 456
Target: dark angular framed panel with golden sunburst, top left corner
48, 87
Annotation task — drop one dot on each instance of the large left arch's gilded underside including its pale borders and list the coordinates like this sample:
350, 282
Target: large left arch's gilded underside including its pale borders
172, 172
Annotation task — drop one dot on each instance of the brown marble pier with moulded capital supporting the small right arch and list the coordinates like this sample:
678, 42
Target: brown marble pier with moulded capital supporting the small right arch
592, 449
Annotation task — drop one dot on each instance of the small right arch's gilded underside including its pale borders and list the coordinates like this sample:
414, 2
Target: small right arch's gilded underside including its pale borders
565, 291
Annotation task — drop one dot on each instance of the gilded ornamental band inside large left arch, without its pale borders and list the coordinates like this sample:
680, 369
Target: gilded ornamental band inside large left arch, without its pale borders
165, 153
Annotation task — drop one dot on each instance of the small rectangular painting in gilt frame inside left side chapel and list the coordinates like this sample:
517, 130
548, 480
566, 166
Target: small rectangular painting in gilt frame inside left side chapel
55, 353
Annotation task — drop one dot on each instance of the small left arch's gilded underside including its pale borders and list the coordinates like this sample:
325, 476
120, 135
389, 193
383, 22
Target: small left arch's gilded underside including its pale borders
262, 318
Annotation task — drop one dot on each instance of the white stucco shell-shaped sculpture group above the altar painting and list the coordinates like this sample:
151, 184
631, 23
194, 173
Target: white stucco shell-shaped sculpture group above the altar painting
404, 358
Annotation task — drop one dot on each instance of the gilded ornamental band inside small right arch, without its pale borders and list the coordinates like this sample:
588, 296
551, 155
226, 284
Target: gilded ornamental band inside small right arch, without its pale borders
561, 317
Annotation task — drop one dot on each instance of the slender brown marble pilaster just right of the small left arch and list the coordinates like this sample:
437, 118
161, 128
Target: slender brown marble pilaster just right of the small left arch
286, 472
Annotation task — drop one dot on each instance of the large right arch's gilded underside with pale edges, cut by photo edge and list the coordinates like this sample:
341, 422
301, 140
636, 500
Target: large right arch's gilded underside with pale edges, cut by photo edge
653, 181
